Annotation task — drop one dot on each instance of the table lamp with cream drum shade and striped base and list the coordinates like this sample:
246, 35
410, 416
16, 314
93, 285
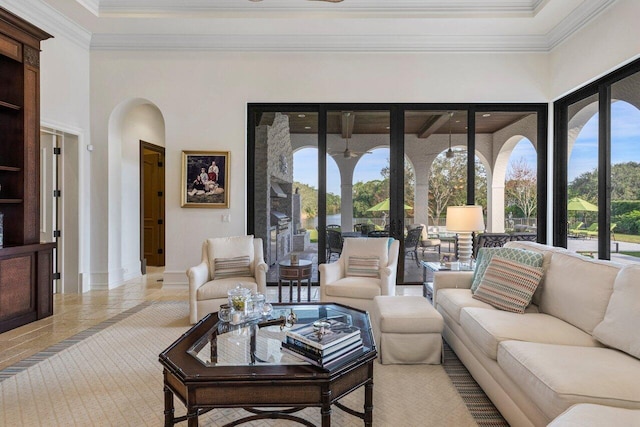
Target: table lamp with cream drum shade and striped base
464, 220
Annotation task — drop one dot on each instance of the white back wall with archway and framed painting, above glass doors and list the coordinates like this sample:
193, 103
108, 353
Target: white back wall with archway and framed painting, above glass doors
203, 97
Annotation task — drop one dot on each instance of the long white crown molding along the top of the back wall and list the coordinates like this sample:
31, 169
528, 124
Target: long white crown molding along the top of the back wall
320, 43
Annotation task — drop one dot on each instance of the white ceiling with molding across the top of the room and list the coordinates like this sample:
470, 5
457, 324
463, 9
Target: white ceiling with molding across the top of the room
352, 25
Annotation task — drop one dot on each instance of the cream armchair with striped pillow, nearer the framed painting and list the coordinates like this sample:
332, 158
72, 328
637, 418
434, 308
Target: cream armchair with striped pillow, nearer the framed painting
226, 263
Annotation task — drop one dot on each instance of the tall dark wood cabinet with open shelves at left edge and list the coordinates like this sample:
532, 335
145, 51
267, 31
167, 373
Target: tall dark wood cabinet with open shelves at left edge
25, 265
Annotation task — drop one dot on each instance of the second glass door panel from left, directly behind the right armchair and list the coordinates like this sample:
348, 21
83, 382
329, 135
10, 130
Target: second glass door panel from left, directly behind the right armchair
358, 189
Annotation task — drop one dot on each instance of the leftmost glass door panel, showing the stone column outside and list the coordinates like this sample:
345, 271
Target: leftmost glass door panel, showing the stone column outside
285, 190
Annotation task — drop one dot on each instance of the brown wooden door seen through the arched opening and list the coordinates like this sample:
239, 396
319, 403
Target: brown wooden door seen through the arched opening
152, 205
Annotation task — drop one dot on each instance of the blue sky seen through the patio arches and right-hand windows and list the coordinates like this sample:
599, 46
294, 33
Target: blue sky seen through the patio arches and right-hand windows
625, 144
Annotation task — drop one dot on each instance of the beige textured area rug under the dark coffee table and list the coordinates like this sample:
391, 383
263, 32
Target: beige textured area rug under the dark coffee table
113, 378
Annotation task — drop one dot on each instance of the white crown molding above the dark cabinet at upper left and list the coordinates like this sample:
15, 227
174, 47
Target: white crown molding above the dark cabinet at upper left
50, 20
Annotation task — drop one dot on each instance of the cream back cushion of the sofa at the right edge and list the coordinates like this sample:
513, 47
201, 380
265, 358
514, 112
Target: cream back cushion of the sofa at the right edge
619, 329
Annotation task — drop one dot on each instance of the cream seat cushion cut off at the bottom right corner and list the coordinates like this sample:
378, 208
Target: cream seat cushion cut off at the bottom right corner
587, 414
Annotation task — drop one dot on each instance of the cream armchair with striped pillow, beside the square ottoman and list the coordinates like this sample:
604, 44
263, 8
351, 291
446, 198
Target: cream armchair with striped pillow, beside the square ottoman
366, 268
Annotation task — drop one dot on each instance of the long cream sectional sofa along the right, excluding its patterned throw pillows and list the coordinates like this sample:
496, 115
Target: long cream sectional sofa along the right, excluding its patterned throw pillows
536, 365
